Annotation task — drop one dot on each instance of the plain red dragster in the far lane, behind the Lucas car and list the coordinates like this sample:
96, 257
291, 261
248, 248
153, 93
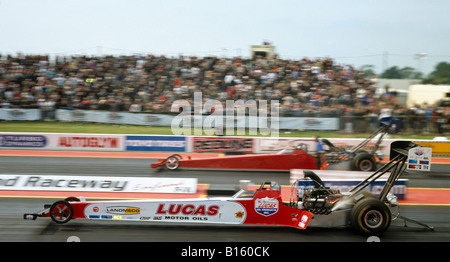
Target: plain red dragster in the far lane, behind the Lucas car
291, 158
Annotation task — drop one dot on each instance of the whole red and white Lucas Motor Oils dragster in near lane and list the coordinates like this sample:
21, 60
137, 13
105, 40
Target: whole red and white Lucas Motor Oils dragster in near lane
314, 205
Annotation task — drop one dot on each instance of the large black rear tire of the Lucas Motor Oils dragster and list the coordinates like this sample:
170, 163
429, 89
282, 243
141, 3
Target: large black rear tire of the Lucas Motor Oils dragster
370, 216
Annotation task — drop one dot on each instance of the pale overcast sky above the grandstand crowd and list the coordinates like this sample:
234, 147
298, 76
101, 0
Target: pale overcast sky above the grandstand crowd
356, 32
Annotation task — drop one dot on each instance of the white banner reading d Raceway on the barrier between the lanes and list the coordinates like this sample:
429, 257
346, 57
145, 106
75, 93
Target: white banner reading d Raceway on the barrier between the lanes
98, 184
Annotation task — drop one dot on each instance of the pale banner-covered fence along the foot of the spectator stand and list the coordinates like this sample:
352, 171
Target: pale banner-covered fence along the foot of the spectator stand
345, 123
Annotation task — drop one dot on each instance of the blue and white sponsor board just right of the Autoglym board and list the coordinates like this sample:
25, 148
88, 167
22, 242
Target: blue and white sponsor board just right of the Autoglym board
156, 143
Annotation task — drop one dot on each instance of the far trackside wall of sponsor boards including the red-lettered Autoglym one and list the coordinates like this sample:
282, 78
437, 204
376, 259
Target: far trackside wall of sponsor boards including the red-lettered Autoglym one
198, 144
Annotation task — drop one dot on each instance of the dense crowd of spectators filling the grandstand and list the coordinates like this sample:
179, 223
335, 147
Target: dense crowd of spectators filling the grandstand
150, 84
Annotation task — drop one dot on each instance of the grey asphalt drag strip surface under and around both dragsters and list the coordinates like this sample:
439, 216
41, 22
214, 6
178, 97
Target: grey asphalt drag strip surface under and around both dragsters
14, 228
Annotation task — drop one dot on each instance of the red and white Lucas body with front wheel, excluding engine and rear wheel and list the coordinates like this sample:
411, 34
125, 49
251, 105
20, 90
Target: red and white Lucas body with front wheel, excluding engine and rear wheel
263, 207
